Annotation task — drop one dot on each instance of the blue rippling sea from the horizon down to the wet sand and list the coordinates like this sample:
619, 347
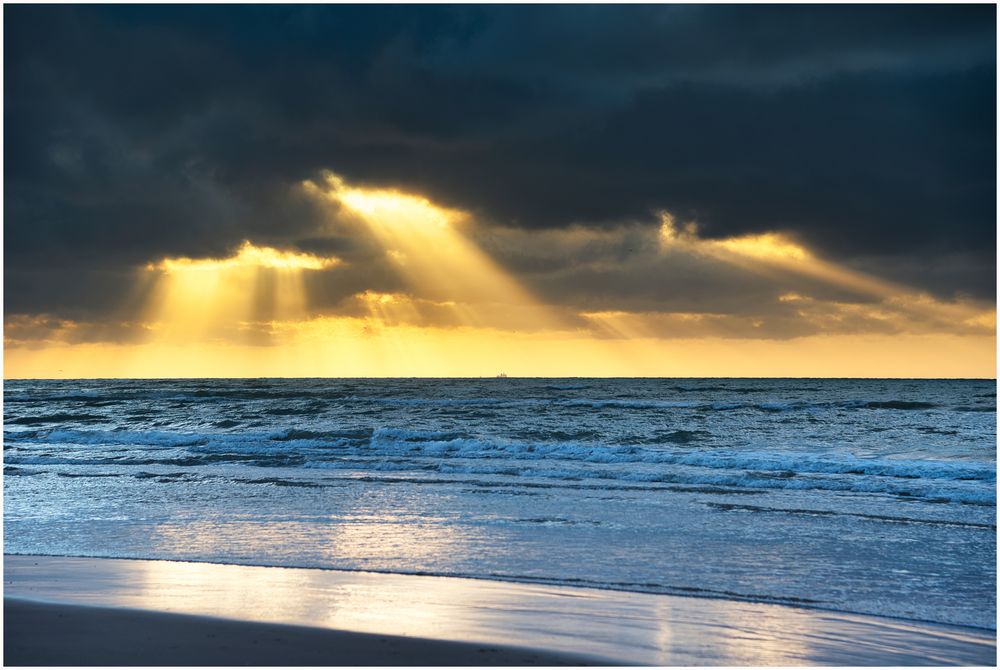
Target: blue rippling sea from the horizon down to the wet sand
866, 496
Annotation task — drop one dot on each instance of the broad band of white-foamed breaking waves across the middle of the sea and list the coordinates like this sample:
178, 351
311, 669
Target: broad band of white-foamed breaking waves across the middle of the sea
399, 449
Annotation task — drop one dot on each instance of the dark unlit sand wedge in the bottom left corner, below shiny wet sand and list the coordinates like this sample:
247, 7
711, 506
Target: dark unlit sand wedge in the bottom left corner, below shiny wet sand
48, 634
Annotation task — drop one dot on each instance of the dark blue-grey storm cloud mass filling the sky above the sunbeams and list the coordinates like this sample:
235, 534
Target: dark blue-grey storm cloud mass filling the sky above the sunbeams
138, 132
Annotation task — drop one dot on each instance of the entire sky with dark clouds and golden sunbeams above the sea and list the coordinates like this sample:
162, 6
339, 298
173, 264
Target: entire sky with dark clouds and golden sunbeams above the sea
672, 190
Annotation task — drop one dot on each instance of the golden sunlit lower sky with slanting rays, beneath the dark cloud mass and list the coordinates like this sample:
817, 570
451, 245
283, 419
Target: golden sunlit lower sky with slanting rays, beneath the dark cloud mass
453, 311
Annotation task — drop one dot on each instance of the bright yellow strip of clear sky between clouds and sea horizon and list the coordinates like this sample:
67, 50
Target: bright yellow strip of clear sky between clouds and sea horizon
343, 348
